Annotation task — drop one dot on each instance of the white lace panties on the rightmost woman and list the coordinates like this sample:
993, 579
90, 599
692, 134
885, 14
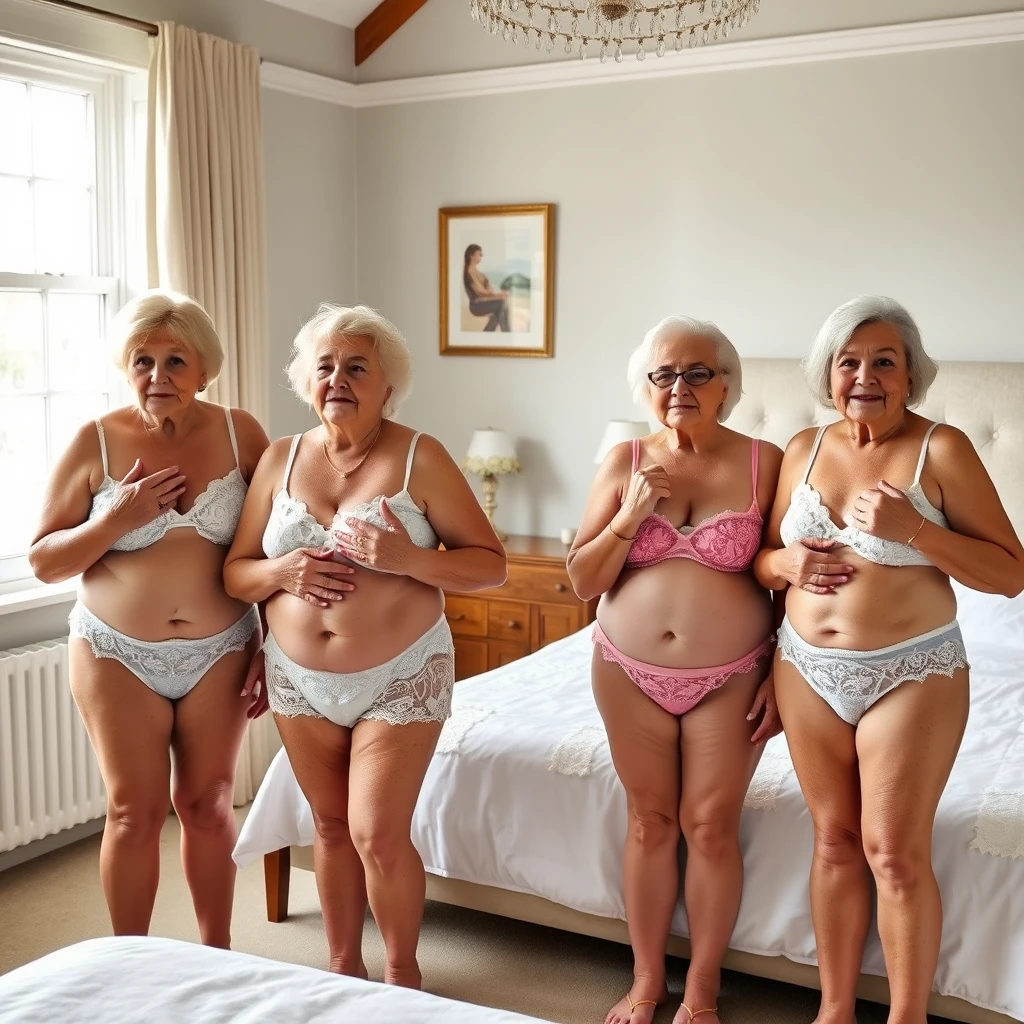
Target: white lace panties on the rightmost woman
852, 680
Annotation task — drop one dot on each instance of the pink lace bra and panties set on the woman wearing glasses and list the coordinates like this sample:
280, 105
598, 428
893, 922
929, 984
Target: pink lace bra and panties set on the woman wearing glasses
728, 542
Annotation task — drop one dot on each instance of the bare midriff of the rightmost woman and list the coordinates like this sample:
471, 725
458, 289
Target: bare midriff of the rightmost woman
881, 606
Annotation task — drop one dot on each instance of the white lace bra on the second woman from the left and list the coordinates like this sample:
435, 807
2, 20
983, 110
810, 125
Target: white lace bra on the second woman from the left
291, 526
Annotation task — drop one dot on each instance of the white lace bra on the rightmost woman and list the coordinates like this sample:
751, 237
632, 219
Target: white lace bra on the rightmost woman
808, 518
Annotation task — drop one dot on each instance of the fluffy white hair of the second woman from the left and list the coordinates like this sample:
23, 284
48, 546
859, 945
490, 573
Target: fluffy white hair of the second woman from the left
330, 321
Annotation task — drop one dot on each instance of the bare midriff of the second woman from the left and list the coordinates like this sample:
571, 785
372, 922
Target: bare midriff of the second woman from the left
385, 616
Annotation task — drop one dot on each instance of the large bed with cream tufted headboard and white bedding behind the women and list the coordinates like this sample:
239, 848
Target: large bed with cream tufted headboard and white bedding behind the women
522, 815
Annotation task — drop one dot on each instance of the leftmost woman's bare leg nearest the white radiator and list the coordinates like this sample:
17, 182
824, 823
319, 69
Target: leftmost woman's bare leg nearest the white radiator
130, 727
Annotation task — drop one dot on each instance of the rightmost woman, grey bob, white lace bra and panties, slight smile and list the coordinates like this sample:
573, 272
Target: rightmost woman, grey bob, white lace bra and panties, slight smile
875, 514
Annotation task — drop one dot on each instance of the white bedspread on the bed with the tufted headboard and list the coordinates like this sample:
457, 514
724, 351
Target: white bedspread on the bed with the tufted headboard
494, 812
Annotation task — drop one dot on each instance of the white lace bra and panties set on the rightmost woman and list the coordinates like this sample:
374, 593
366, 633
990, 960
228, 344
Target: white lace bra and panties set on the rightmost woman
851, 681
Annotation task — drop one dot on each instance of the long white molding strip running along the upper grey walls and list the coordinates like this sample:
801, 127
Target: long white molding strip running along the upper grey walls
882, 40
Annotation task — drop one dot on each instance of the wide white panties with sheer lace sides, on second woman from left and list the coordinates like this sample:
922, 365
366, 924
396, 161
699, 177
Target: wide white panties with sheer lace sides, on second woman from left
414, 687
